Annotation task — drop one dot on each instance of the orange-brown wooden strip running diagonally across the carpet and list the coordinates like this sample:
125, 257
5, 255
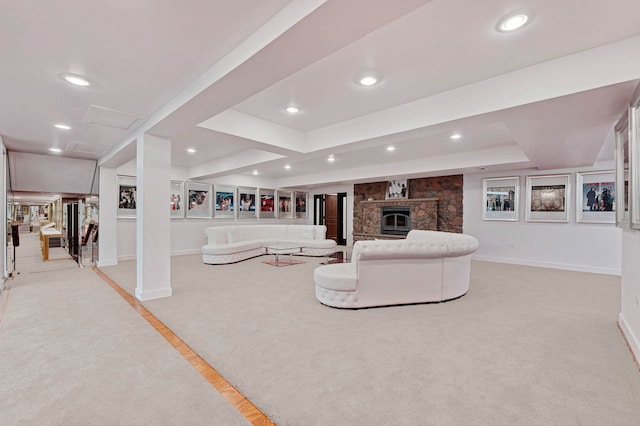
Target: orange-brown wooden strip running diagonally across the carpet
239, 401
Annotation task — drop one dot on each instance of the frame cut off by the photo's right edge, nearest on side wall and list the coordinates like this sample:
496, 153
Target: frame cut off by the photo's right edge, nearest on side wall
634, 160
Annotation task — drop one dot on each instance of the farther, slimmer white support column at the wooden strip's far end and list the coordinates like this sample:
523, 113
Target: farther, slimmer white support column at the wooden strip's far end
108, 218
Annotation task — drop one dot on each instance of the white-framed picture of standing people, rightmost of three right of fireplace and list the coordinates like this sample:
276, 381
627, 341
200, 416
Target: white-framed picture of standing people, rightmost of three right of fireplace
595, 197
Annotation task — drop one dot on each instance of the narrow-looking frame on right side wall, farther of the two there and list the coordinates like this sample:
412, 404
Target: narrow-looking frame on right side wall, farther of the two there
622, 161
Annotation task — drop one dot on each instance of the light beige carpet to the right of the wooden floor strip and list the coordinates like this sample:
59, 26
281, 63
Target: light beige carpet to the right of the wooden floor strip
525, 346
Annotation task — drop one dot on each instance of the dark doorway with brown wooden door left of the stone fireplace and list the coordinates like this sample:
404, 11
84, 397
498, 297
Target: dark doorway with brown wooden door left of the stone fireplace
330, 210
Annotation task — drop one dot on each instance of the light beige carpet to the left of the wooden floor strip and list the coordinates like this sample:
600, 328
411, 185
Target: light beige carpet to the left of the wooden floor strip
73, 352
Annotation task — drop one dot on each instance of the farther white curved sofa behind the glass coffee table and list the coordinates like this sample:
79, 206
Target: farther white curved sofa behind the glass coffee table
233, 243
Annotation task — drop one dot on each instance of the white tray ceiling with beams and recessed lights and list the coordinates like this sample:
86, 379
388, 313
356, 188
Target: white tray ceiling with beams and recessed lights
216, 75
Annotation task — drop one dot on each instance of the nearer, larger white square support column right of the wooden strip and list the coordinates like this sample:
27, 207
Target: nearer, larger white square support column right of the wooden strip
153, 227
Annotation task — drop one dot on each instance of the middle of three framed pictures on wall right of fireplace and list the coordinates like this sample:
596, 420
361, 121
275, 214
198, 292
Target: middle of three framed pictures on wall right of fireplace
547, 198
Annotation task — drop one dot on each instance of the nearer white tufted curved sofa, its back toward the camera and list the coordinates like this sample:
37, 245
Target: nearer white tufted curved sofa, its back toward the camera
427, 266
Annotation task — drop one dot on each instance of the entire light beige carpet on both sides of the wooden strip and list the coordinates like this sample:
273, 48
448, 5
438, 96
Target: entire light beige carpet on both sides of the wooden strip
525, 346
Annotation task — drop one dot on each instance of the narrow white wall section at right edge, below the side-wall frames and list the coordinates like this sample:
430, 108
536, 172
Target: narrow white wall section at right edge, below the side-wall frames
630, 301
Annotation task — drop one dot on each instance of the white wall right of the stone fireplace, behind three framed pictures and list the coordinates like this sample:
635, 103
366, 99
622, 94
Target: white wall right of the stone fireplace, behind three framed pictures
574, 246
